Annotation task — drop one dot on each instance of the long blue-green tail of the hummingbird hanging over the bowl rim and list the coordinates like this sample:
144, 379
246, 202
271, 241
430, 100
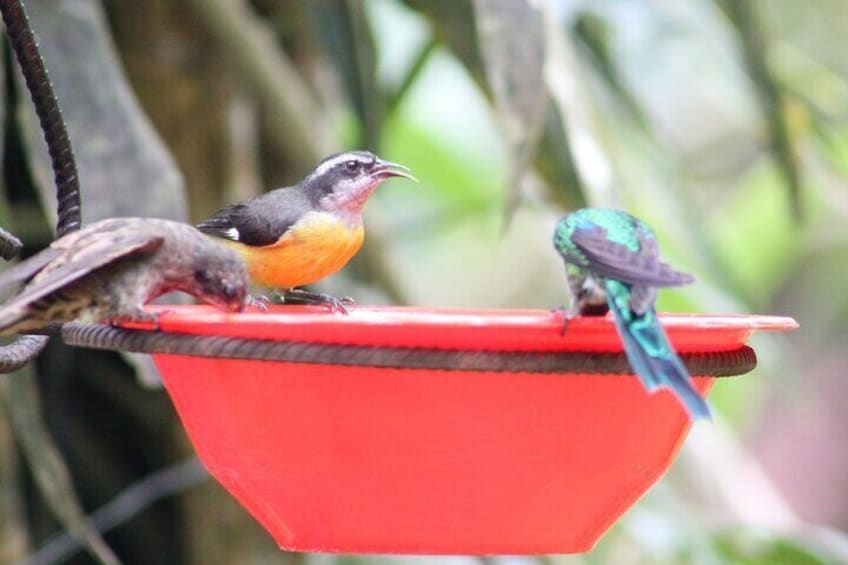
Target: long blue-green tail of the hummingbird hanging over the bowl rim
650, 354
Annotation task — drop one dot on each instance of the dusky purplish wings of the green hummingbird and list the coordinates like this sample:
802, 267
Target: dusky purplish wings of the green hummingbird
616, 261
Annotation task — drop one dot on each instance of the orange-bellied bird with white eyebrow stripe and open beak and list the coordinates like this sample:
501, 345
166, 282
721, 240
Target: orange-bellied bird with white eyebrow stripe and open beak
297, 235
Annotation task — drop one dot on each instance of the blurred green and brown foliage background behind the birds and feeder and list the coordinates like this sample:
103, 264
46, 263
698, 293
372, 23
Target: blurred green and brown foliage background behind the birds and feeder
722, 123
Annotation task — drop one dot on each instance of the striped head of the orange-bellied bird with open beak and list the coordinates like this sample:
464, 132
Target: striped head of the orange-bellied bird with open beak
343, 182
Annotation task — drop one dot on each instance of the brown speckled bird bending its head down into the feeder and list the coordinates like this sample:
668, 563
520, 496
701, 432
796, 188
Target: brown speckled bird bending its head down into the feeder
110, 269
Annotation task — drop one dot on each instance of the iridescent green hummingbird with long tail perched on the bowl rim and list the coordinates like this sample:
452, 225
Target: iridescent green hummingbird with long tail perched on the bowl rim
612, 263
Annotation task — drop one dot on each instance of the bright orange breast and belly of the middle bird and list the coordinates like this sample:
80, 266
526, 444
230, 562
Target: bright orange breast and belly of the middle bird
319, 246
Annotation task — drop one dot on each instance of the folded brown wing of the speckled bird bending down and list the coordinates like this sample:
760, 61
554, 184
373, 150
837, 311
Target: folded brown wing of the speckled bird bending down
91, 253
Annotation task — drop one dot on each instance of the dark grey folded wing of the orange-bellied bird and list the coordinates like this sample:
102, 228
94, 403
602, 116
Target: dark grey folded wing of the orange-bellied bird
259, 221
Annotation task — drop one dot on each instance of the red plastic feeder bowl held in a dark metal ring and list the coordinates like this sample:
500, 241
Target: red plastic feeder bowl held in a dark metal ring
336, 458
